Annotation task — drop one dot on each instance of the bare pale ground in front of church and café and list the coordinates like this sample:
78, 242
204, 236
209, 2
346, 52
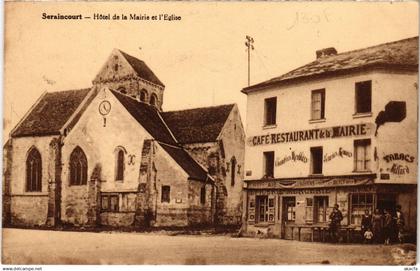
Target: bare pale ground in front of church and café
54, 247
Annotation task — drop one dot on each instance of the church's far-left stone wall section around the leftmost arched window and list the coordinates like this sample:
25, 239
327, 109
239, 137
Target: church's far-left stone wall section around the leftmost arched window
29, 208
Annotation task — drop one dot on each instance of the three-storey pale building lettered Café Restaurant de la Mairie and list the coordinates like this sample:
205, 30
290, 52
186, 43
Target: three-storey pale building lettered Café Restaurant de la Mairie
339, 130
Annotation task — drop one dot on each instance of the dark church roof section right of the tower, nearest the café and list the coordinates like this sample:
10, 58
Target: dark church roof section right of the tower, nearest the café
199, 124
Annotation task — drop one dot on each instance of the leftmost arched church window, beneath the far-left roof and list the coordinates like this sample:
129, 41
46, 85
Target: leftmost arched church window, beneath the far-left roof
34, 171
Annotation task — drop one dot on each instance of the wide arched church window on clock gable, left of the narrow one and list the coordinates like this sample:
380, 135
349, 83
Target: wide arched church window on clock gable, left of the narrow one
78, 167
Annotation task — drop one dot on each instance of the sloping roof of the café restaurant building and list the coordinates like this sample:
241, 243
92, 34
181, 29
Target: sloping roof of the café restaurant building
402, 54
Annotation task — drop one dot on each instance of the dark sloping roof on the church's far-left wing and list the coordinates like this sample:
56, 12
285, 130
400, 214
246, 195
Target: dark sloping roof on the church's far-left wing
50, 114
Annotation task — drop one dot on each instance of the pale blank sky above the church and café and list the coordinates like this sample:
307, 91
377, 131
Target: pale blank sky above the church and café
201, 59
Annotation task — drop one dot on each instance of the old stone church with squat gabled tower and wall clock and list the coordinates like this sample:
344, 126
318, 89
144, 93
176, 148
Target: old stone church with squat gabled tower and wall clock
109, 156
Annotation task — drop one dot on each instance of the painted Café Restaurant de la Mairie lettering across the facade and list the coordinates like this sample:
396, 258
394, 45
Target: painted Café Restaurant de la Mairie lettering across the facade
363, 129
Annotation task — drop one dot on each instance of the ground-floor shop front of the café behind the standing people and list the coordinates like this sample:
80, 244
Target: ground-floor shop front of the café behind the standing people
300, 208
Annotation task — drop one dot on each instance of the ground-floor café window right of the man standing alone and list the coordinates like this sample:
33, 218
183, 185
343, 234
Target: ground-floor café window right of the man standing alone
358, 204
